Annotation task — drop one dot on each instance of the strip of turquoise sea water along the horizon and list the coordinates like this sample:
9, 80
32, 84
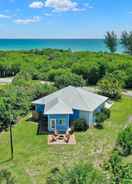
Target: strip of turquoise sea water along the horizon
74, 44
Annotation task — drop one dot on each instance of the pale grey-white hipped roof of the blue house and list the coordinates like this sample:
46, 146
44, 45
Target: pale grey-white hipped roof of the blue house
66, 99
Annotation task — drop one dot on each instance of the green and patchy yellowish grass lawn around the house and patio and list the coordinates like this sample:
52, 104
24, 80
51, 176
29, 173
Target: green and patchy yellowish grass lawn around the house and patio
33, 158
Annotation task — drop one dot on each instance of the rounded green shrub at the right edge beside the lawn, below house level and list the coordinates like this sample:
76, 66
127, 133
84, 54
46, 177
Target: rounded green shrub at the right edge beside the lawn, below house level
124, 141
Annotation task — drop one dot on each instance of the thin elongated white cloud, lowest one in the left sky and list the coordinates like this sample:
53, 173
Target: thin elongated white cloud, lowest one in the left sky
28, 21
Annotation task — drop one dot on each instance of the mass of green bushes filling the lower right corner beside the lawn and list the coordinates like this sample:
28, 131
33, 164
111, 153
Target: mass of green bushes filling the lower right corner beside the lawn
121, 173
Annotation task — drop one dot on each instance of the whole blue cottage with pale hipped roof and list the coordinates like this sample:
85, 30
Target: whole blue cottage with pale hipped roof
69, 104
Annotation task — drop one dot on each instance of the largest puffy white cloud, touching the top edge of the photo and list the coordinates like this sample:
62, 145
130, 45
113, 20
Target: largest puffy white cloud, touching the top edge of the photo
65, 5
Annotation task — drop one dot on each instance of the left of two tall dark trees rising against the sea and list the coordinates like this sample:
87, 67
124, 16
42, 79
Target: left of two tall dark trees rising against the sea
111, 41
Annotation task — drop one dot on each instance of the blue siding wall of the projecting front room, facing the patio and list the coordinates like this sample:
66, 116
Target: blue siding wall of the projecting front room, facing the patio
59, 126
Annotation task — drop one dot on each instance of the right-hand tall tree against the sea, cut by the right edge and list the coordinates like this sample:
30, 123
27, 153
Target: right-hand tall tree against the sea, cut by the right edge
126, 41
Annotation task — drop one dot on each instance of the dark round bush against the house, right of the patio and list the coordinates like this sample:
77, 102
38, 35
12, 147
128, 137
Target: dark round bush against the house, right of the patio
80, 125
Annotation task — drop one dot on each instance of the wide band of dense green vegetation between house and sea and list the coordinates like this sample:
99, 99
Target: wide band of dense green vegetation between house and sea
65, 66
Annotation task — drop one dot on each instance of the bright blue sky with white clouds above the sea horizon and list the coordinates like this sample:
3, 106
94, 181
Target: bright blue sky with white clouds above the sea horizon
64, 18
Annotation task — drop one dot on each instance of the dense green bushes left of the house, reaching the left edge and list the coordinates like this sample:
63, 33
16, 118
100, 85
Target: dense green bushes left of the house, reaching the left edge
15, 99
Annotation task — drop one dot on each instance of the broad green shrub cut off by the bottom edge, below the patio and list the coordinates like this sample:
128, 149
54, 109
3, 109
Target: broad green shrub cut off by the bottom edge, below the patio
78, 174
